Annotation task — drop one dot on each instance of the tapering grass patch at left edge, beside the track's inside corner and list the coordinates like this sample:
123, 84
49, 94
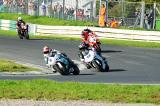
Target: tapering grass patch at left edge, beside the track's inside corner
11, 66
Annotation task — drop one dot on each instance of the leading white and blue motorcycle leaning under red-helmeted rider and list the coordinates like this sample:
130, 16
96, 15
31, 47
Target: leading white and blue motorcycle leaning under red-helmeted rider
62, 64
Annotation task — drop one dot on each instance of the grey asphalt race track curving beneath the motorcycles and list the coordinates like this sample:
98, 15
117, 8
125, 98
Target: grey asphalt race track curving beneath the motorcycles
128, 65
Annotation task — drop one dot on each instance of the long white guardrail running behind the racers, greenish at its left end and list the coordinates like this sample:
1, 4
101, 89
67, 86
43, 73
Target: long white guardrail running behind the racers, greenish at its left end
76, 31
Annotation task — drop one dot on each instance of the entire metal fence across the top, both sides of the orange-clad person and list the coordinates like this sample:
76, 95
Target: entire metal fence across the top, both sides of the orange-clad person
130, 14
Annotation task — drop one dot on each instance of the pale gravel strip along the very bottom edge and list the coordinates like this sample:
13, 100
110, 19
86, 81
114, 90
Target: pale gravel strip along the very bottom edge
22, 102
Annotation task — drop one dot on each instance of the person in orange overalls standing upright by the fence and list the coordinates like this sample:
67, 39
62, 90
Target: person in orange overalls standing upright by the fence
102, 16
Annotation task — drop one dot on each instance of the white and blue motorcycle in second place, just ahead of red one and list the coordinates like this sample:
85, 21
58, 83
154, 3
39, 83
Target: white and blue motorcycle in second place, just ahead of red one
94, 60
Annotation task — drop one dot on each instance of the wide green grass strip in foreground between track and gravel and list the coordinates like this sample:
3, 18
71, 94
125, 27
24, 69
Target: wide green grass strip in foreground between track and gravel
52, 90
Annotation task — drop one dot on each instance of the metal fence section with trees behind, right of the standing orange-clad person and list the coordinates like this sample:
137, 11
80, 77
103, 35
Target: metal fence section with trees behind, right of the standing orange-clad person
133, 14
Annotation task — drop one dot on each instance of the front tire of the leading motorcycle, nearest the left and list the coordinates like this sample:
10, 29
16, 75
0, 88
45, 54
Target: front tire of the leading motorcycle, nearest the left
62, 69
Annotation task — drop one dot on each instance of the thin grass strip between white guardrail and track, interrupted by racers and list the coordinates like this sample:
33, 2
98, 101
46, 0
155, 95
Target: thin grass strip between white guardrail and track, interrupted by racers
116, 42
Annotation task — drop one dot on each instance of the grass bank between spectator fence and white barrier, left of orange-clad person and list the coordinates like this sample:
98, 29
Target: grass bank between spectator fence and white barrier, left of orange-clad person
45, 20
